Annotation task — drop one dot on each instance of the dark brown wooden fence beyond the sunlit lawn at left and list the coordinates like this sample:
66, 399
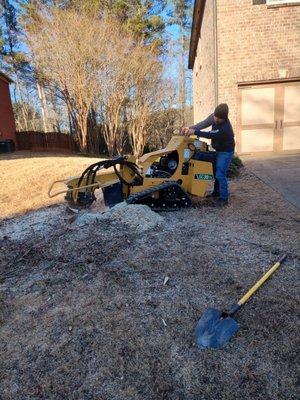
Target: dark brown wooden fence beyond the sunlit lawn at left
50, 141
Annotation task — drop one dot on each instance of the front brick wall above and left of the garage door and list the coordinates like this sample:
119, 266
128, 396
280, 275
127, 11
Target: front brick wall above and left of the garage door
255, 43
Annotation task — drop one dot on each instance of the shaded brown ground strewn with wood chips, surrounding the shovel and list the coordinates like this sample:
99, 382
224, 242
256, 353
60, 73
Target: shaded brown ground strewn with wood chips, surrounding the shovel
85, 313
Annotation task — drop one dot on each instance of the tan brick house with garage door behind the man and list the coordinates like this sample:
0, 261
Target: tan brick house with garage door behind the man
247, 53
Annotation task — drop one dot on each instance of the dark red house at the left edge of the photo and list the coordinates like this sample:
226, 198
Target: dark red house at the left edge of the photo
7, 121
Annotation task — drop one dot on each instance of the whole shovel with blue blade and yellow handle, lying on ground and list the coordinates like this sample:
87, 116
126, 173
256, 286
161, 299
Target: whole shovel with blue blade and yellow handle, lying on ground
215, 328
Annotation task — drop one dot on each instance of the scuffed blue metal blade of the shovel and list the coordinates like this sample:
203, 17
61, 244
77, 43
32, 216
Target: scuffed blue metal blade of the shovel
214, 331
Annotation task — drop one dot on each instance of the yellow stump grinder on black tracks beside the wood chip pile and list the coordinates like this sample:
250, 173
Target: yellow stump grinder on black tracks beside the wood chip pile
162, 180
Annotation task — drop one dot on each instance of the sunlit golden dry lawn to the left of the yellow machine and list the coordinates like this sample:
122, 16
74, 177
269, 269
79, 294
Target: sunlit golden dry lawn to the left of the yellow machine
25, 178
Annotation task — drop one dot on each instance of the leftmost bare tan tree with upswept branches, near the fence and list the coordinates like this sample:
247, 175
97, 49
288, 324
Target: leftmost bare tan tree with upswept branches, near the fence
68, 49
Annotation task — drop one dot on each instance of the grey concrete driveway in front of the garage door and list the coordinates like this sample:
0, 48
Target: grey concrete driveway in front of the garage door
282, 173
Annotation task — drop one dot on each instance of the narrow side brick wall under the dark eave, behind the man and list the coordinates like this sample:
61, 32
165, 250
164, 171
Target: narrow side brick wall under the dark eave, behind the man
204, 68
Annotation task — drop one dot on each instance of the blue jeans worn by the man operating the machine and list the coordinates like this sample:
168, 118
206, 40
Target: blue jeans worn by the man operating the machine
223, 161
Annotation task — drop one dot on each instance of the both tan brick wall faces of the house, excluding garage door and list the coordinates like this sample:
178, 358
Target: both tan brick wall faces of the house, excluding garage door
255, 43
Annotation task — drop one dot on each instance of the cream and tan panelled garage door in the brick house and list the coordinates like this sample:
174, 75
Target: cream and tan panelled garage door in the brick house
269, 118
